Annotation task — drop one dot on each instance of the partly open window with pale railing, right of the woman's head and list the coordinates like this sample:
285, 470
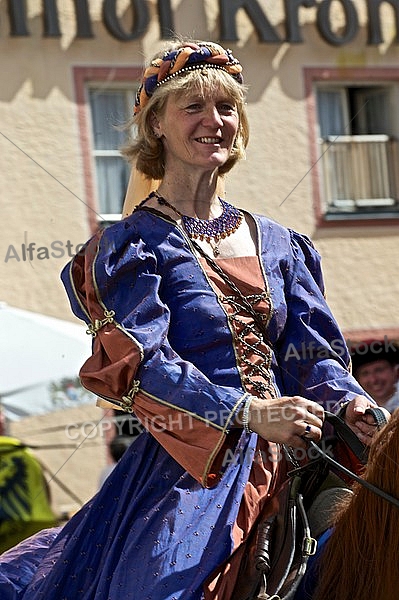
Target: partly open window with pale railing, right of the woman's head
358, 149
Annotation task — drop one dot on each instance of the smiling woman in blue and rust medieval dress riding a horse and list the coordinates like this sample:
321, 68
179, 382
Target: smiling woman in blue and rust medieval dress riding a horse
194, 304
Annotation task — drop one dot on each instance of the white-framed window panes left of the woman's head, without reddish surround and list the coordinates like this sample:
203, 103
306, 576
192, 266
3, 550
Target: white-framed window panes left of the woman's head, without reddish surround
110, 109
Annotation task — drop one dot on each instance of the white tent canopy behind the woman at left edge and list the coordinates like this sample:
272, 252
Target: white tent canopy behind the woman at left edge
37, 355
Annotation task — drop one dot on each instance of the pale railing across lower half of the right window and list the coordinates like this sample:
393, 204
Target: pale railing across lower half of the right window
360, 173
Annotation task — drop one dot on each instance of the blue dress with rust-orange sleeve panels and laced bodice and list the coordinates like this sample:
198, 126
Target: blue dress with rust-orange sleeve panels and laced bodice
171, 342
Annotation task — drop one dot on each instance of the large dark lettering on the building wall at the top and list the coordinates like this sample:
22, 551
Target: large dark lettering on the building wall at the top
256, 11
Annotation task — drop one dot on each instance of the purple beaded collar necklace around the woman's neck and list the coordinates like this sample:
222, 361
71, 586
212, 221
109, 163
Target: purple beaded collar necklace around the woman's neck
213, 230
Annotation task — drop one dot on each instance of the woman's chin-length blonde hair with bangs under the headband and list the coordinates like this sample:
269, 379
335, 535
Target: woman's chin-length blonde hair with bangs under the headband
147, 151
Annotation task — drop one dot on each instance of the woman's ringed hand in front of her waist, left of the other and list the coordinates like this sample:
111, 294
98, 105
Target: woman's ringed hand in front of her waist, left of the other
286, 420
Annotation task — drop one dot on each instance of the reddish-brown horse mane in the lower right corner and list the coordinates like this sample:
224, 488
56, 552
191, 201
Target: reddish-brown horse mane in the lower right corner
360, 560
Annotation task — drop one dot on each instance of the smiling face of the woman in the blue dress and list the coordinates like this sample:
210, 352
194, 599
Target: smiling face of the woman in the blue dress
198, 131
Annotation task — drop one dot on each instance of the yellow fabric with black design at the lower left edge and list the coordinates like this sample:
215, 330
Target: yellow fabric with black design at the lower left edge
24, 502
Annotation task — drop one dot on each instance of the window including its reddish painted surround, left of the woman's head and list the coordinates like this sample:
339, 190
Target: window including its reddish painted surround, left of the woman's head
104, 101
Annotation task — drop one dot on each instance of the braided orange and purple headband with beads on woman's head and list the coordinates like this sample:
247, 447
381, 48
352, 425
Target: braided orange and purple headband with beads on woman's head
184, 59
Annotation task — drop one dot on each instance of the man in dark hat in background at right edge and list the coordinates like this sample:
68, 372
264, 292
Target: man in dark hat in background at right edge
375, 365
